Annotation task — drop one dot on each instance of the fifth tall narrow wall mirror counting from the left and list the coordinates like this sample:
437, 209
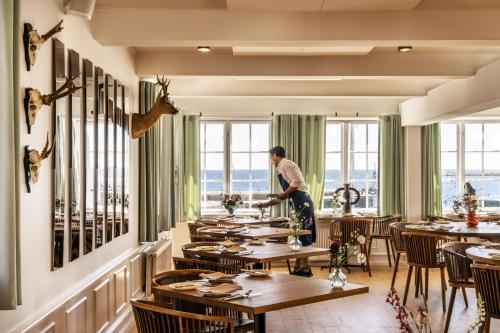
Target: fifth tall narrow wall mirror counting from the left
109, 153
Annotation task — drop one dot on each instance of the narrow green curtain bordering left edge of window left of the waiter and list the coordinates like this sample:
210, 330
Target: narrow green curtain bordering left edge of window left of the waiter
191, 167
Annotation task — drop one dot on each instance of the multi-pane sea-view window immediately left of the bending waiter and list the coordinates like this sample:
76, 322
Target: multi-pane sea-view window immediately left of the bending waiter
234, 159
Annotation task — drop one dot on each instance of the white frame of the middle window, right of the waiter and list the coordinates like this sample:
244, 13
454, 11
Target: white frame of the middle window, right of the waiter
345, 155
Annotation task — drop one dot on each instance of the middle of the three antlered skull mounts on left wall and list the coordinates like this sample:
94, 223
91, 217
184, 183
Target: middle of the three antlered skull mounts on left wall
34, 100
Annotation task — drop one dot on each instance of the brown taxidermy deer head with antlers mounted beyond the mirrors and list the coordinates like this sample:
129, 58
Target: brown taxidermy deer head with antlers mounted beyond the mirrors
163, 105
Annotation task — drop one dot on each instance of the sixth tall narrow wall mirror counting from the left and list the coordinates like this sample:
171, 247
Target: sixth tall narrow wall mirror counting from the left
119, 159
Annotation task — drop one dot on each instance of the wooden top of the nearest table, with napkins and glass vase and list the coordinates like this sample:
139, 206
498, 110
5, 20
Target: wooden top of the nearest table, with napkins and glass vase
275, 292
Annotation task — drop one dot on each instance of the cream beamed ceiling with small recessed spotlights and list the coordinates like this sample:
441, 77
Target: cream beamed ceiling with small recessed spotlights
315, 50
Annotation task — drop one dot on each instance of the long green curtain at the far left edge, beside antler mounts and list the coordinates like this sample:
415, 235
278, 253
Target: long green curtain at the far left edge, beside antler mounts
10, 256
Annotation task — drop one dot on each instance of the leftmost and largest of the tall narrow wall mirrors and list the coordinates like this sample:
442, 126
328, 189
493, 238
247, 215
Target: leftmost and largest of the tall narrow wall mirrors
58, 156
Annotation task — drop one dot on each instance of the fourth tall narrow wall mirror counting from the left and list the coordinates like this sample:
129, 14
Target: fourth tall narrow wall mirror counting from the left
100, 153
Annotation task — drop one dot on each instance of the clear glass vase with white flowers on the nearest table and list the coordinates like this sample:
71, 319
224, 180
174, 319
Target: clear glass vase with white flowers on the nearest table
337, 278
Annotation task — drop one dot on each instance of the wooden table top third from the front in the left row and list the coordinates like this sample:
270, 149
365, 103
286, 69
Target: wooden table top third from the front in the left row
249, 233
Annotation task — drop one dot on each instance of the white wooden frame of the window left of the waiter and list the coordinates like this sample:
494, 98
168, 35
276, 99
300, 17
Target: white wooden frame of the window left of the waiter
227, 155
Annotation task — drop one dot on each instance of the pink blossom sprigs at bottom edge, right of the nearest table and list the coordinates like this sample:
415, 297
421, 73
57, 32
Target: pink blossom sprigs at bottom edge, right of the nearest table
420, 320
